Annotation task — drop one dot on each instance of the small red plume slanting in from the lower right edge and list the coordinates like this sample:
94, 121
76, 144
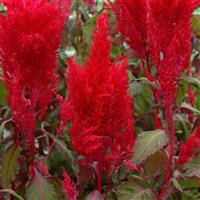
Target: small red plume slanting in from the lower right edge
188, 149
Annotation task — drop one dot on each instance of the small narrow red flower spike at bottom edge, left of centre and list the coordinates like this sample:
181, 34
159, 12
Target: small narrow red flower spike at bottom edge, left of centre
69, 187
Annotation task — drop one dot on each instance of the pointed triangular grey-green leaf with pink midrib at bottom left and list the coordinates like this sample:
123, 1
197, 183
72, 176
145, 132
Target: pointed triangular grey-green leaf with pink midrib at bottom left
40, 189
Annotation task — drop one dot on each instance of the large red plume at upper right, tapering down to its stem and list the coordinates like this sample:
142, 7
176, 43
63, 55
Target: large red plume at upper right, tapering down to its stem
169, 32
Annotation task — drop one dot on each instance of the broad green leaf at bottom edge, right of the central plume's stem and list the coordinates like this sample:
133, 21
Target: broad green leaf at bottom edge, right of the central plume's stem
133, 190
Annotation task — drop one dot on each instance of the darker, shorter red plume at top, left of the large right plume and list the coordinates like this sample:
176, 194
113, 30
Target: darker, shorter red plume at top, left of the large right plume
131, 18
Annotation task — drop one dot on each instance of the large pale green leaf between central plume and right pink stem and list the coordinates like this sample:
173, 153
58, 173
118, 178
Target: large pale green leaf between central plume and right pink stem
147, 143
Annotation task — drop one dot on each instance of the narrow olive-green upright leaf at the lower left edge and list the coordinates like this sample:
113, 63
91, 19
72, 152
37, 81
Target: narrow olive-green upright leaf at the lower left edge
10, 165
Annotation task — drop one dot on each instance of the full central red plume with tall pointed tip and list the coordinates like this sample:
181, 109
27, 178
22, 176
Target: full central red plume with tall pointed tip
100, 107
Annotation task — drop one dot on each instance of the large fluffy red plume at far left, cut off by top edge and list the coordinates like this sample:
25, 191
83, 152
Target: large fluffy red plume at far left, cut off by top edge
30, 35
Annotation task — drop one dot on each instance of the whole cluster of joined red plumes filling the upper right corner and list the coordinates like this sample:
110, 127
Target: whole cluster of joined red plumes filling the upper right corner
161, 28
